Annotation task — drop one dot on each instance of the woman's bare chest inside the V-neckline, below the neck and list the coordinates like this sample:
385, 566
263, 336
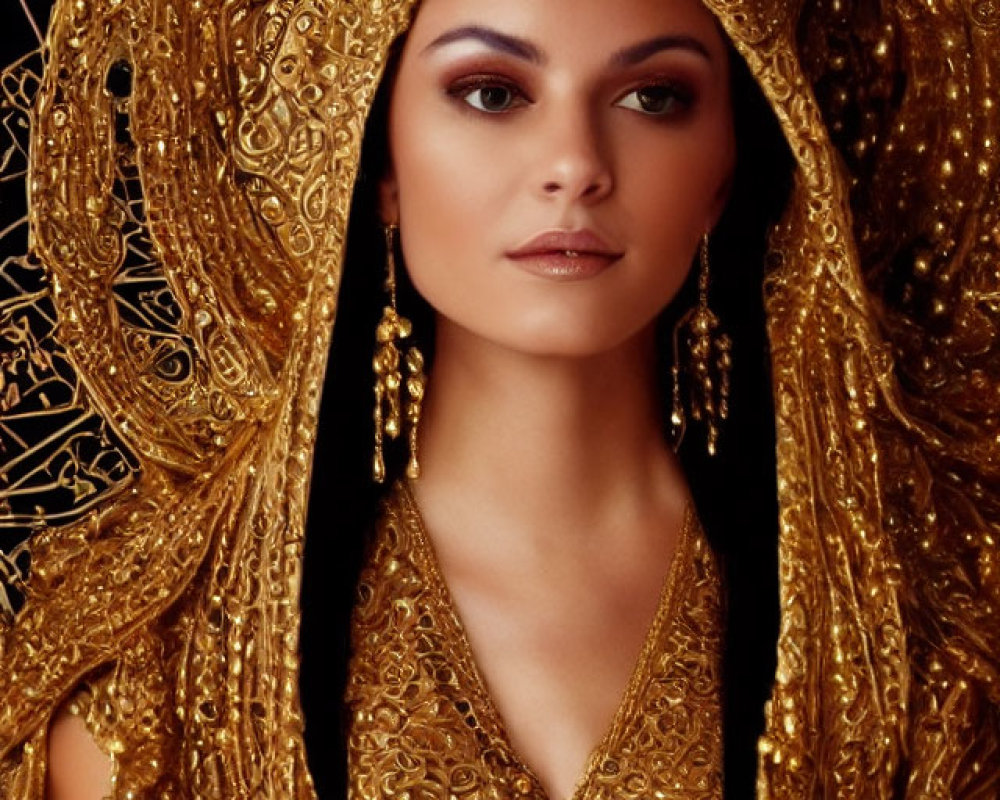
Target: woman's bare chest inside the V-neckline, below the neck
555, 651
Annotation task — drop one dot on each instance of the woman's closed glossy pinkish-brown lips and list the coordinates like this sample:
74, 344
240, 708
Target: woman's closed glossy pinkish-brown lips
565, 255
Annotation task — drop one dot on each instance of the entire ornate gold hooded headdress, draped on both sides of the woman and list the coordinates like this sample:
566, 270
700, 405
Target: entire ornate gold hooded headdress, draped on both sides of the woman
165, 331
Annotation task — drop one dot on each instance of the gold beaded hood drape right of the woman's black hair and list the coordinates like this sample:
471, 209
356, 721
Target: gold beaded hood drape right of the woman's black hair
885, 379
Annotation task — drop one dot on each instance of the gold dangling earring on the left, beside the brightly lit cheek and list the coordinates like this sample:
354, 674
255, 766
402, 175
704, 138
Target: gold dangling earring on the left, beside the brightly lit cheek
388, 377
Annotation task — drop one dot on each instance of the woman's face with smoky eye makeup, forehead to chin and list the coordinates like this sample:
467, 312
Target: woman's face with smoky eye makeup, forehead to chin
554, 163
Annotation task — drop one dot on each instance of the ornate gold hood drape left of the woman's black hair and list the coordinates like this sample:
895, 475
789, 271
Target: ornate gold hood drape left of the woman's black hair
245, 122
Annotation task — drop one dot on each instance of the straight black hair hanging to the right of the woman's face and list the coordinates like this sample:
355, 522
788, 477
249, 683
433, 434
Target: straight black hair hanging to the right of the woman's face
735, 491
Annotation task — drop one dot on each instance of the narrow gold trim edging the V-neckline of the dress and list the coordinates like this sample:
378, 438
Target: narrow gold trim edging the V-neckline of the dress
486, 709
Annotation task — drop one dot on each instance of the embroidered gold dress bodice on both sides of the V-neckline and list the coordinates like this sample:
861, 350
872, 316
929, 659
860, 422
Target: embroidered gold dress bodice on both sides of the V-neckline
423, 725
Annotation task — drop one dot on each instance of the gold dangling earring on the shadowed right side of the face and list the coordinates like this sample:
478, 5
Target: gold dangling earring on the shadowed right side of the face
709, 361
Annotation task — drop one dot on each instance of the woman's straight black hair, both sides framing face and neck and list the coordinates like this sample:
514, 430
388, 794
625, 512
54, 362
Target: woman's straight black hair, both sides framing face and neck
344, 499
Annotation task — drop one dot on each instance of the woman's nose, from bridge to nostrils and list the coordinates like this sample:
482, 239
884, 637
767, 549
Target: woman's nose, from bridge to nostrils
575, 163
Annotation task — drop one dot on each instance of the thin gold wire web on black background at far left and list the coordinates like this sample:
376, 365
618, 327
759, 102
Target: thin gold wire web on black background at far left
60, 458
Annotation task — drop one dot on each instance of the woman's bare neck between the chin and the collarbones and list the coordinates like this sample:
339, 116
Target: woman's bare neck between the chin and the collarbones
578, 441
